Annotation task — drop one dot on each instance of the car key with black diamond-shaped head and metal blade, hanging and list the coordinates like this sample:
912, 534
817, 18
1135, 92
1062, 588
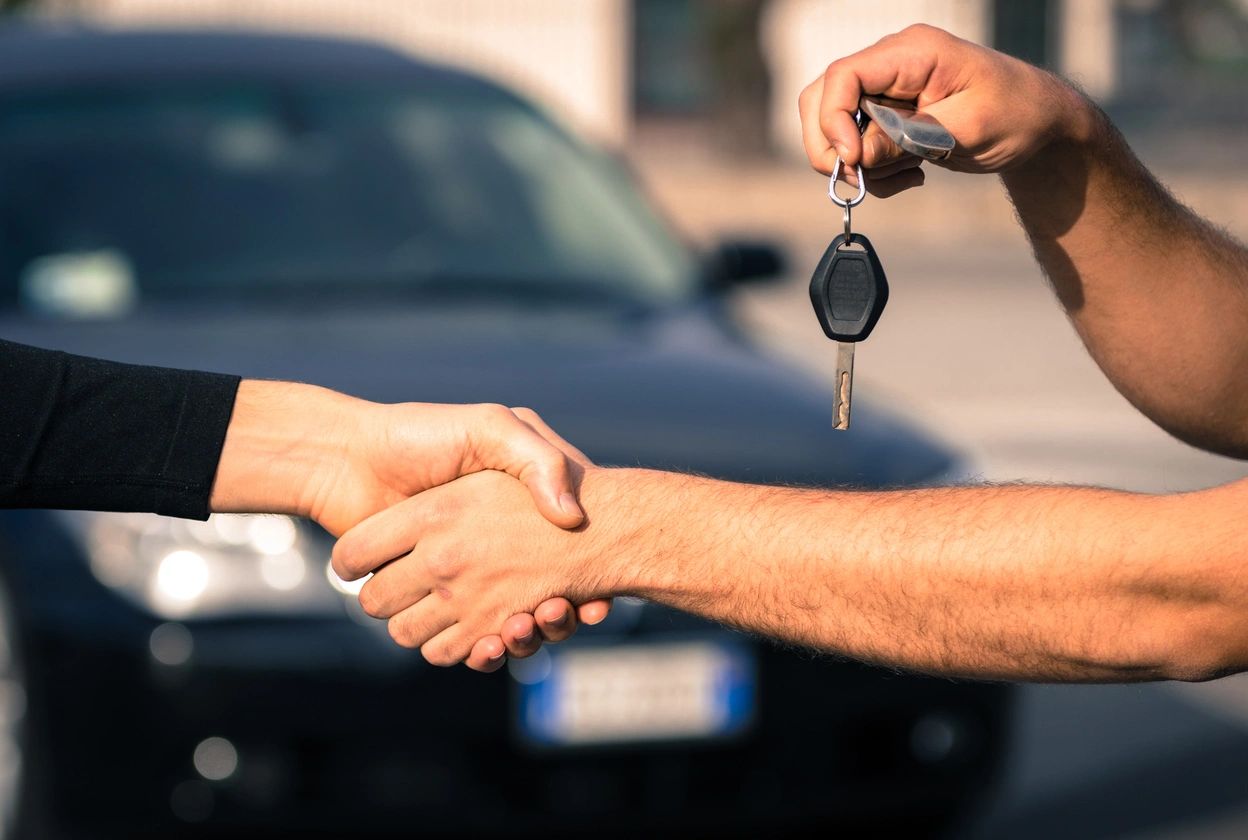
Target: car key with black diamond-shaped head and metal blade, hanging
849, 291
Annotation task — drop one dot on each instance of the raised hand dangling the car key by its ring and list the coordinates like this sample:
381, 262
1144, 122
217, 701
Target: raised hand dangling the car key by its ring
1000, 110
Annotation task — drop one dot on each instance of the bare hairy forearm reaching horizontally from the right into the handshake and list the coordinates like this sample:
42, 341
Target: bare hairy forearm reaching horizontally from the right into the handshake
1026, 584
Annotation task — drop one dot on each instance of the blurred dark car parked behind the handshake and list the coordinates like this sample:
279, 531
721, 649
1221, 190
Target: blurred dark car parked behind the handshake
336, 213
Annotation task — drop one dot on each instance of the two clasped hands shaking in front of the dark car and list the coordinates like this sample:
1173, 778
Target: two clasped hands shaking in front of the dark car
457, 512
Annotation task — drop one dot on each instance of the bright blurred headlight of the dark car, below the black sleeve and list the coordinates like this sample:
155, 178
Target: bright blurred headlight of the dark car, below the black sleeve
233, 565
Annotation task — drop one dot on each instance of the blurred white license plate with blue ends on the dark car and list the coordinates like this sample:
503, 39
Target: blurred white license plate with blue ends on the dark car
636, 693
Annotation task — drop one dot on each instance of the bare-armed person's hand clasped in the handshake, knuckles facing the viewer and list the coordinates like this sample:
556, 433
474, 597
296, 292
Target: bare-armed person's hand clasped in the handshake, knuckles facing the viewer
471, 555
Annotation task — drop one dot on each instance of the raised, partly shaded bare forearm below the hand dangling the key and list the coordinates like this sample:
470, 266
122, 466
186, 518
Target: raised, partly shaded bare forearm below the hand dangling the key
1158, 294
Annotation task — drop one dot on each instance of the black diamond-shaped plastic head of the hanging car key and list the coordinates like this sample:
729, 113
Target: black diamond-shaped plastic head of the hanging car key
849, 289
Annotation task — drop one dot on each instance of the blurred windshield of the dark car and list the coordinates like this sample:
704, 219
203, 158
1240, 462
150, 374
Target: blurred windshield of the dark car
253, 190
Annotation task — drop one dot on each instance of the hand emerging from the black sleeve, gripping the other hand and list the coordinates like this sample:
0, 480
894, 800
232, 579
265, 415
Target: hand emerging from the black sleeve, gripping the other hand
308, 451
